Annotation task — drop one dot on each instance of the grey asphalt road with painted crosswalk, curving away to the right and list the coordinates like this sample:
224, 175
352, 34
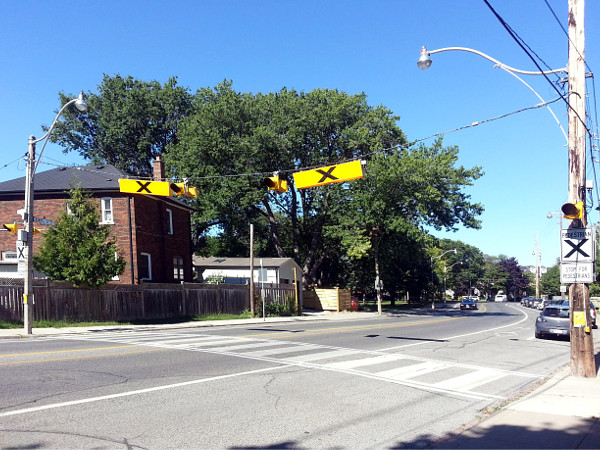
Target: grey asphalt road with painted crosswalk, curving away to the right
396, 381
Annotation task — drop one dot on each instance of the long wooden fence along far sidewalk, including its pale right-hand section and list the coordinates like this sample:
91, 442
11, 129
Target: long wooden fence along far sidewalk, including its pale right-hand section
122, 303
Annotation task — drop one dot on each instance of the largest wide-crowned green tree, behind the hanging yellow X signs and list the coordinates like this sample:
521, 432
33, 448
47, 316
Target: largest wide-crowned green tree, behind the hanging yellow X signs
233, 140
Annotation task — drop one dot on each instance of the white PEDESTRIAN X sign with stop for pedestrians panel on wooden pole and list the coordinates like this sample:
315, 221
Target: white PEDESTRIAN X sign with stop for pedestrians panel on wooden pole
577, 255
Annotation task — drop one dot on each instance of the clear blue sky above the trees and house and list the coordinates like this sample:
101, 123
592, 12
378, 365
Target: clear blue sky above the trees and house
356, 46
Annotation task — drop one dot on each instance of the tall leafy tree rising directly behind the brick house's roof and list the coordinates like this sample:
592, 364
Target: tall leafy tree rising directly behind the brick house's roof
128, 123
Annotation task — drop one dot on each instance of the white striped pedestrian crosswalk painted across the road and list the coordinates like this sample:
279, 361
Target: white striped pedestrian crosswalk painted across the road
394, 368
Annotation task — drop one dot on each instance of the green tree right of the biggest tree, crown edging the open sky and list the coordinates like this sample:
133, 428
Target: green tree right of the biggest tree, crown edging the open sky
404, 190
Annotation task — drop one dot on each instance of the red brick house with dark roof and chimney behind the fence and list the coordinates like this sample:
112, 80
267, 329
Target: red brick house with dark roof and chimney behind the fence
153, 233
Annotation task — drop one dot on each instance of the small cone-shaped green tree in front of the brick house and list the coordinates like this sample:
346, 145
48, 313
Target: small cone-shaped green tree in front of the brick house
77, 248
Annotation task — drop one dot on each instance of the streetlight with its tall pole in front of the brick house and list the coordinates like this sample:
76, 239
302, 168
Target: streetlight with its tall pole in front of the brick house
27, 237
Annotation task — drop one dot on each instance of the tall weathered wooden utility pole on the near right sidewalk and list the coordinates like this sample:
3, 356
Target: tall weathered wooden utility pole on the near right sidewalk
582, 344
